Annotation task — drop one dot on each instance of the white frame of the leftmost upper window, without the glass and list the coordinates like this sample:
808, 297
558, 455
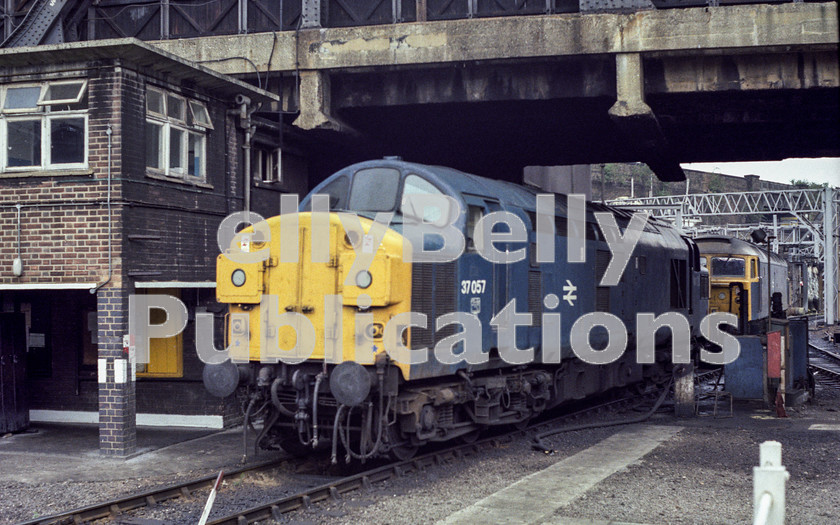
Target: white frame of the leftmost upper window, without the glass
44, 114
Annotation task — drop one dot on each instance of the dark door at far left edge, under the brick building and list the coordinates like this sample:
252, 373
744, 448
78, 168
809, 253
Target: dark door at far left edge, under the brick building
14, 407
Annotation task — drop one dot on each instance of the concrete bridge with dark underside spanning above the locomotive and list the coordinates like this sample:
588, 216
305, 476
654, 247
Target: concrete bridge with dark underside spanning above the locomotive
728, 83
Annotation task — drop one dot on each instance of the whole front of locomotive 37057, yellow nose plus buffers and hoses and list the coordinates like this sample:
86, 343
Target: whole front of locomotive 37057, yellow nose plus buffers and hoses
310, 296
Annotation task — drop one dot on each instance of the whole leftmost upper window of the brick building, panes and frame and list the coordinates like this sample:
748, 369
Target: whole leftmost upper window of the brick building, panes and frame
43, 126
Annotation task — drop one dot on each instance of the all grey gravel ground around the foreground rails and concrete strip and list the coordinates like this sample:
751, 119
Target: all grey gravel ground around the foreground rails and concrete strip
701, 476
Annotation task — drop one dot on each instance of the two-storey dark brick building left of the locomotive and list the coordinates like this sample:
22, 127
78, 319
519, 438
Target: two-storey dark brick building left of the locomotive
118, 163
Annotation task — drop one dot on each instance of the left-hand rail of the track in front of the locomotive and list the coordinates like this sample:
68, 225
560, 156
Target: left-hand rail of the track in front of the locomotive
114, 507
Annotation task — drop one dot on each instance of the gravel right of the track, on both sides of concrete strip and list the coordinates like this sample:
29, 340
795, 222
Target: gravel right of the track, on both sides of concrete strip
701, 476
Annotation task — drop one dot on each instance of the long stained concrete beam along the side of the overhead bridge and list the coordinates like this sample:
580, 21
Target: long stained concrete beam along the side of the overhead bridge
743, 29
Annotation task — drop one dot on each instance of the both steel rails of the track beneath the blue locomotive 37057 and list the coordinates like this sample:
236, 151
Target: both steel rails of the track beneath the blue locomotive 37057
333, 489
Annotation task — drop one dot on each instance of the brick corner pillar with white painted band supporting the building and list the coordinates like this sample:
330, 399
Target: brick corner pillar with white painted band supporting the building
117, 408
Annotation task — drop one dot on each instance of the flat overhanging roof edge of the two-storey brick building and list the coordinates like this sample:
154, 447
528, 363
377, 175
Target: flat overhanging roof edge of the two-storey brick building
135, 52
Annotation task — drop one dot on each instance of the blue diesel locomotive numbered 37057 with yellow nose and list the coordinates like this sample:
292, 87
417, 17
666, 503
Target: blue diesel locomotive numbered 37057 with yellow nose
349, 391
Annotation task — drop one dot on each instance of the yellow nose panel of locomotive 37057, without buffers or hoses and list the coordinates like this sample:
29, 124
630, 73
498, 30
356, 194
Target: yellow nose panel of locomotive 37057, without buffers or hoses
316, 301
